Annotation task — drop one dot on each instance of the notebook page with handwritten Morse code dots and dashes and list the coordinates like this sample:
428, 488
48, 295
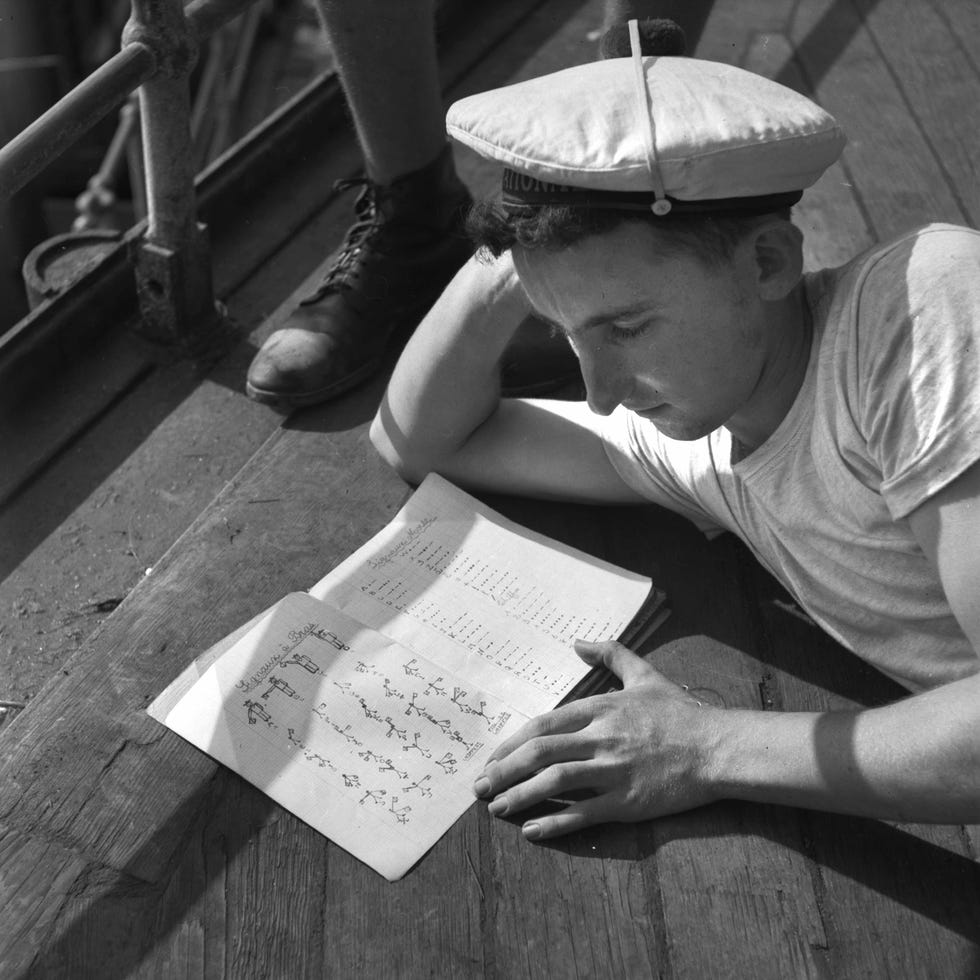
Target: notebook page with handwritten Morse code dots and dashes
448, 571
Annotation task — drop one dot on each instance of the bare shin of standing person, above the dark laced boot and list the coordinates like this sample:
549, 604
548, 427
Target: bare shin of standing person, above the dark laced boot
386, 59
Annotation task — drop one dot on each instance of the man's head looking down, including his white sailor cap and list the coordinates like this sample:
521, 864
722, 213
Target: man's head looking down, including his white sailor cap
645, 200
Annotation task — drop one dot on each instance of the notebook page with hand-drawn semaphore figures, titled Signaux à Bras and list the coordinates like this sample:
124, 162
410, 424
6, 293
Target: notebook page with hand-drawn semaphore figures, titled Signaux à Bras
371, 744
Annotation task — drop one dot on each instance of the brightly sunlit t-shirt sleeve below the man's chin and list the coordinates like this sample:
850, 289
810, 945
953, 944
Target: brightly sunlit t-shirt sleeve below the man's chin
662, 470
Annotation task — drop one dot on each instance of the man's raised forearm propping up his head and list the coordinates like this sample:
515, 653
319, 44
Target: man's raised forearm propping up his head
446, 382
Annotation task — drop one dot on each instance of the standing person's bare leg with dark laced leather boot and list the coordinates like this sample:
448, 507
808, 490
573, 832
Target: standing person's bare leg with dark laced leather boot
407, 241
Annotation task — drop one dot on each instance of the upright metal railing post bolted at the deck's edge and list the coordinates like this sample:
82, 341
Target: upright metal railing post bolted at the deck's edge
172, 260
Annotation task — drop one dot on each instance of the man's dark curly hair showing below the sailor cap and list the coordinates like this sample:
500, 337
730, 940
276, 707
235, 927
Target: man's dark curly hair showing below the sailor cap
711, 237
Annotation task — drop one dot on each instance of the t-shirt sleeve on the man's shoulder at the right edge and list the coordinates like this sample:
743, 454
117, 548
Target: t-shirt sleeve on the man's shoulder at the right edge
918, 339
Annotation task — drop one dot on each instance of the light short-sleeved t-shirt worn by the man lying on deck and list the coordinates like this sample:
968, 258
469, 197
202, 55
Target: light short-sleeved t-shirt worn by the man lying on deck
888, 414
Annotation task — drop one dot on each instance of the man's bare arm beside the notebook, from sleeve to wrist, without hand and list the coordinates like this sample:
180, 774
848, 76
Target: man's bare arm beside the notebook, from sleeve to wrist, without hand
918, 759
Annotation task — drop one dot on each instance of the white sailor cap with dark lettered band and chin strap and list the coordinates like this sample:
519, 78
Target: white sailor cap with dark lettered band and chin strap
656, 133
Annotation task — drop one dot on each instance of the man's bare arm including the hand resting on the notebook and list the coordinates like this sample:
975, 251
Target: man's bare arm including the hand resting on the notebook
650, 750
